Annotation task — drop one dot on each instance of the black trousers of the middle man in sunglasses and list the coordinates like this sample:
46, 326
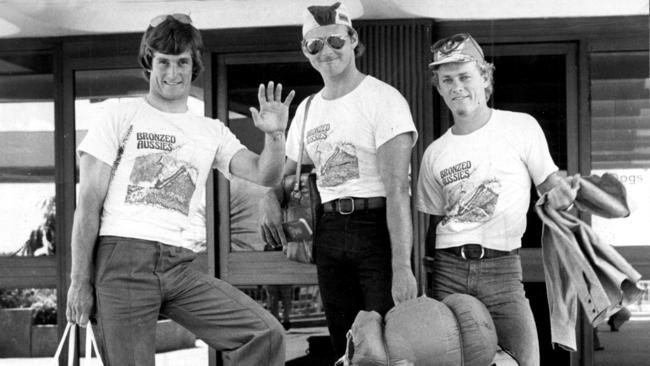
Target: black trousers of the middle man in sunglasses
353, 260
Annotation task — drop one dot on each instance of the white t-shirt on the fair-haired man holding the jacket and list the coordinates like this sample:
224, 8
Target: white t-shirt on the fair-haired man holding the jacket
480, 182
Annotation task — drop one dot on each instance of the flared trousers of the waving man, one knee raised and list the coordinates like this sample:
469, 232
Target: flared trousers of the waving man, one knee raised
136, 280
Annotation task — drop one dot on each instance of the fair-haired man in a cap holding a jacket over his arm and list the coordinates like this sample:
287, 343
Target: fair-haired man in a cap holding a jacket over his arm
474, 183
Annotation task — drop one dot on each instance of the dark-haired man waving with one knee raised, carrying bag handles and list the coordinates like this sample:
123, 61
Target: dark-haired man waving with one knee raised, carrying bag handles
143, 168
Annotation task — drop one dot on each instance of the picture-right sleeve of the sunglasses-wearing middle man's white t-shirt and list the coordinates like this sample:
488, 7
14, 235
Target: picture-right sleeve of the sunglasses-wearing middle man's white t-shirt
393, 117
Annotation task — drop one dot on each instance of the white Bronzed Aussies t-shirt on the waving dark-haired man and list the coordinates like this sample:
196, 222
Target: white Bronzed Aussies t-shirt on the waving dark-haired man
162, 172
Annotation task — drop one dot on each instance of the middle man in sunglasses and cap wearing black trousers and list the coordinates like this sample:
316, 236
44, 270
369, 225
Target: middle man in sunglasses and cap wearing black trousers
359, 134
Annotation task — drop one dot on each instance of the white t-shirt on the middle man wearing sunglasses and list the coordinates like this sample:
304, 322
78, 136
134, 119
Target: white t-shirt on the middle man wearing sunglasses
343, 135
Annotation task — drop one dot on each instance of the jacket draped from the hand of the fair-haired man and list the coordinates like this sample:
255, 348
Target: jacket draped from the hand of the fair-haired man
578, 266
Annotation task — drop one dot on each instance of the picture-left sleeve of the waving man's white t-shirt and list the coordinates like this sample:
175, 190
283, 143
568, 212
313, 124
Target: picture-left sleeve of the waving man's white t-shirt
105, 132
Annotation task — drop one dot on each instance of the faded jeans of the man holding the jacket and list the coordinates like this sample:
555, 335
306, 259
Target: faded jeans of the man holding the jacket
497, 282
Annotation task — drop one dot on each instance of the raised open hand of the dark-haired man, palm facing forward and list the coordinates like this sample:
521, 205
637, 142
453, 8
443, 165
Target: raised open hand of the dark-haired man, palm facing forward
273, 114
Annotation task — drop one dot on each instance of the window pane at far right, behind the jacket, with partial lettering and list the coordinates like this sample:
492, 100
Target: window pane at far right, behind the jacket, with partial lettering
620, 119
